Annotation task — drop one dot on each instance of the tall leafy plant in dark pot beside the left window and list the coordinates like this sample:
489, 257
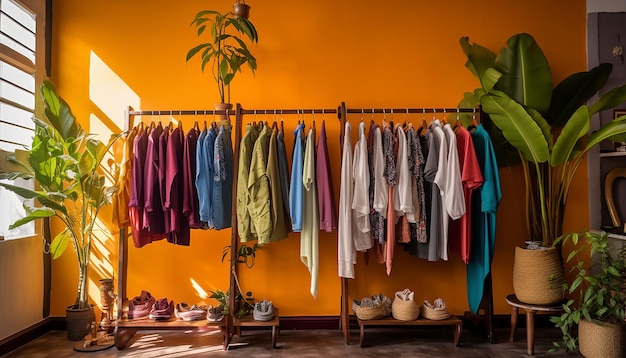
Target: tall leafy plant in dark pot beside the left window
64, 161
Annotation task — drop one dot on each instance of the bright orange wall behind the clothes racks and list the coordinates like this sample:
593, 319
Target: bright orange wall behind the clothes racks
311, 54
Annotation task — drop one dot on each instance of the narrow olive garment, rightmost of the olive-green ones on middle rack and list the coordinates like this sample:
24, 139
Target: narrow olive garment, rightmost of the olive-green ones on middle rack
279, 229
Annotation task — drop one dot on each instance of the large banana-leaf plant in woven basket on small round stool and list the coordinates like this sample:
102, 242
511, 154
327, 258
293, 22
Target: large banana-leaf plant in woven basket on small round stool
545, 128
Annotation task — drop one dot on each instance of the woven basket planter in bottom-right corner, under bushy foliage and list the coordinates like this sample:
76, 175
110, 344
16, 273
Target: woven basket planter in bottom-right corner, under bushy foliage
601, 341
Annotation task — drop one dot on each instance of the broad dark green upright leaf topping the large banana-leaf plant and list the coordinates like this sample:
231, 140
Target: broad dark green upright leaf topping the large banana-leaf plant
526, 76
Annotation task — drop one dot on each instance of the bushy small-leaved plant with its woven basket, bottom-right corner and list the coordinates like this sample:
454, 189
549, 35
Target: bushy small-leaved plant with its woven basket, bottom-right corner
601, 304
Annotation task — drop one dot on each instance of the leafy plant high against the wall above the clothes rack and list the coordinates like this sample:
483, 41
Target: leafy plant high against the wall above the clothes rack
226, 52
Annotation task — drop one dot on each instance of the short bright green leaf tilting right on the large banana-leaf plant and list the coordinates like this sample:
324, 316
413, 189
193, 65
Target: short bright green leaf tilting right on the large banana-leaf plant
576, 127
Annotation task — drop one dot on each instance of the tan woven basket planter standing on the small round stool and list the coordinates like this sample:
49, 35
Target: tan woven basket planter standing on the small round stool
538, 276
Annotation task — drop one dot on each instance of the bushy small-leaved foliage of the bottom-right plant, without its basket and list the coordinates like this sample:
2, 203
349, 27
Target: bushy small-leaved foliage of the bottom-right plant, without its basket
600, 289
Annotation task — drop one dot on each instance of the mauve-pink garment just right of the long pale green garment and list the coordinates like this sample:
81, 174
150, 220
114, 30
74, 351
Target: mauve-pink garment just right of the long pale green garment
326, 198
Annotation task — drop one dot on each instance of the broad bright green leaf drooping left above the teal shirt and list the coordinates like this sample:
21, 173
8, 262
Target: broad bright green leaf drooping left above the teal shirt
517, 126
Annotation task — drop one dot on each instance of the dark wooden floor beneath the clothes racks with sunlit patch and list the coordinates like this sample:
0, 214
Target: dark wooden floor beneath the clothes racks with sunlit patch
381, 342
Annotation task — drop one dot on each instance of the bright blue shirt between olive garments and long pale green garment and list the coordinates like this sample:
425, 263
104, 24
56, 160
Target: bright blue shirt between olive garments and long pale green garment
295, 185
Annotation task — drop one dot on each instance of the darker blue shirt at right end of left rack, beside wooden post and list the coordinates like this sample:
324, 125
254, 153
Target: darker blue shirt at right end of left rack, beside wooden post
222, 200
